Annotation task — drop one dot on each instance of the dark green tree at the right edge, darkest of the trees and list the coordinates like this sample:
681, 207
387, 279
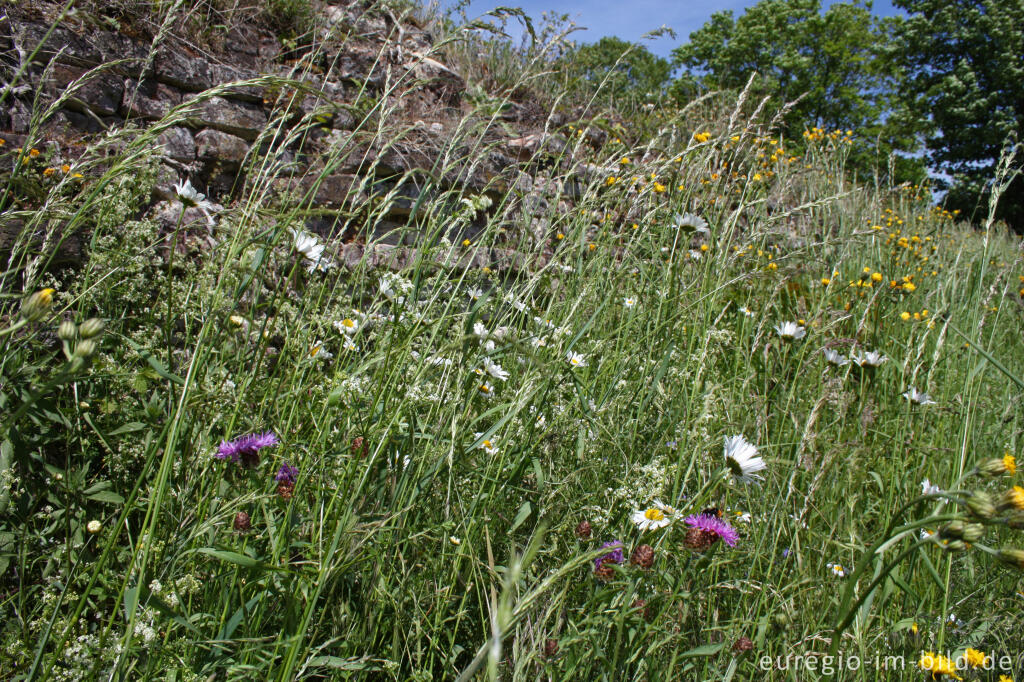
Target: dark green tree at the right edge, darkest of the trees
964, 65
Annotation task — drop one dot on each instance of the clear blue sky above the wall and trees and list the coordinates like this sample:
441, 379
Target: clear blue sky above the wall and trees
632, 19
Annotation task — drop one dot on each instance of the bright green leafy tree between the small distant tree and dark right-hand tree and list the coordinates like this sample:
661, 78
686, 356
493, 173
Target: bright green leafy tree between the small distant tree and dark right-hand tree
835, 63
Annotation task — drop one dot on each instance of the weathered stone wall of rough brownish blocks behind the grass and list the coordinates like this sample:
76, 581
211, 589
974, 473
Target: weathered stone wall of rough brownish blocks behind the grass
312, 114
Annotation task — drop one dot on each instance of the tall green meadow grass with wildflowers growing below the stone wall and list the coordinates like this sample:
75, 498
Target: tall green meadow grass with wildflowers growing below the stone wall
433, 529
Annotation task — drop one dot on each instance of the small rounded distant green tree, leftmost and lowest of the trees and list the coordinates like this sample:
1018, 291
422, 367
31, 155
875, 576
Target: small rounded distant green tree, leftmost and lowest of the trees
626, 70
